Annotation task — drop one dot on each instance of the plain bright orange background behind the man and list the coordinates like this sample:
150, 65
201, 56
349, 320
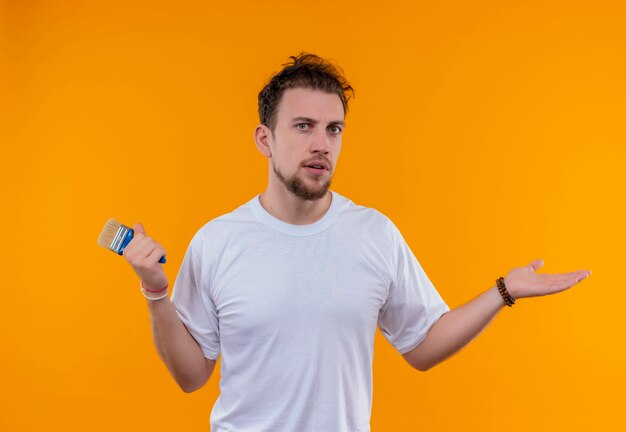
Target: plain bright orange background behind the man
491, 132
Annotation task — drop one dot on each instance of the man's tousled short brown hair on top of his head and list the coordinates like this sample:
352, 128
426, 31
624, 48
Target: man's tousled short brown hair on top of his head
304, 71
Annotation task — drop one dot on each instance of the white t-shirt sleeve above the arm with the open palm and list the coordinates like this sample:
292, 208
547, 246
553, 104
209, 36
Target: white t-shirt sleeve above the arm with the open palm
413, 304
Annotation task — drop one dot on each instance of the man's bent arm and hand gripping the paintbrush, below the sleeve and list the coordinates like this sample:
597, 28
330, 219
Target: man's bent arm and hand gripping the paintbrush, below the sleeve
178, 349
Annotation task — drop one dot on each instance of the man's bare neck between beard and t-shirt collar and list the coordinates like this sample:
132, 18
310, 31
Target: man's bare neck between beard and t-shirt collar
287, 207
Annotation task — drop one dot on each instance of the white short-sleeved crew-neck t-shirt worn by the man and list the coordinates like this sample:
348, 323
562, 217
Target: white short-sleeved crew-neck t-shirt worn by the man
293, 309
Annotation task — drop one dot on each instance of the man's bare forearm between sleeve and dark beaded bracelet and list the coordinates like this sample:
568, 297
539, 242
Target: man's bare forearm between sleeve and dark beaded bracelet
455, 329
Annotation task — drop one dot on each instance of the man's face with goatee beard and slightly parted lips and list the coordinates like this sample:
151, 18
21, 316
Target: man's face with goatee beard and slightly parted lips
305, 145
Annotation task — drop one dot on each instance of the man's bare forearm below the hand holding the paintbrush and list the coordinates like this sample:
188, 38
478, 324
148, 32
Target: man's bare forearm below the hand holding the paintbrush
178, 349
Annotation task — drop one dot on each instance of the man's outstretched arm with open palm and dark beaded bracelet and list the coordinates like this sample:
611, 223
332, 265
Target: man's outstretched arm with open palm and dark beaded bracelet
457, 328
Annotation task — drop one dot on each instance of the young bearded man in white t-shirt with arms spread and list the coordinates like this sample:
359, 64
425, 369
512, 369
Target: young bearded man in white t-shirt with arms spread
290, 287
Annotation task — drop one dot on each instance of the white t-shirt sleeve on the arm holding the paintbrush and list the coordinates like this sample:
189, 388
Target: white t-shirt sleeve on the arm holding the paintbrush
193, 303
